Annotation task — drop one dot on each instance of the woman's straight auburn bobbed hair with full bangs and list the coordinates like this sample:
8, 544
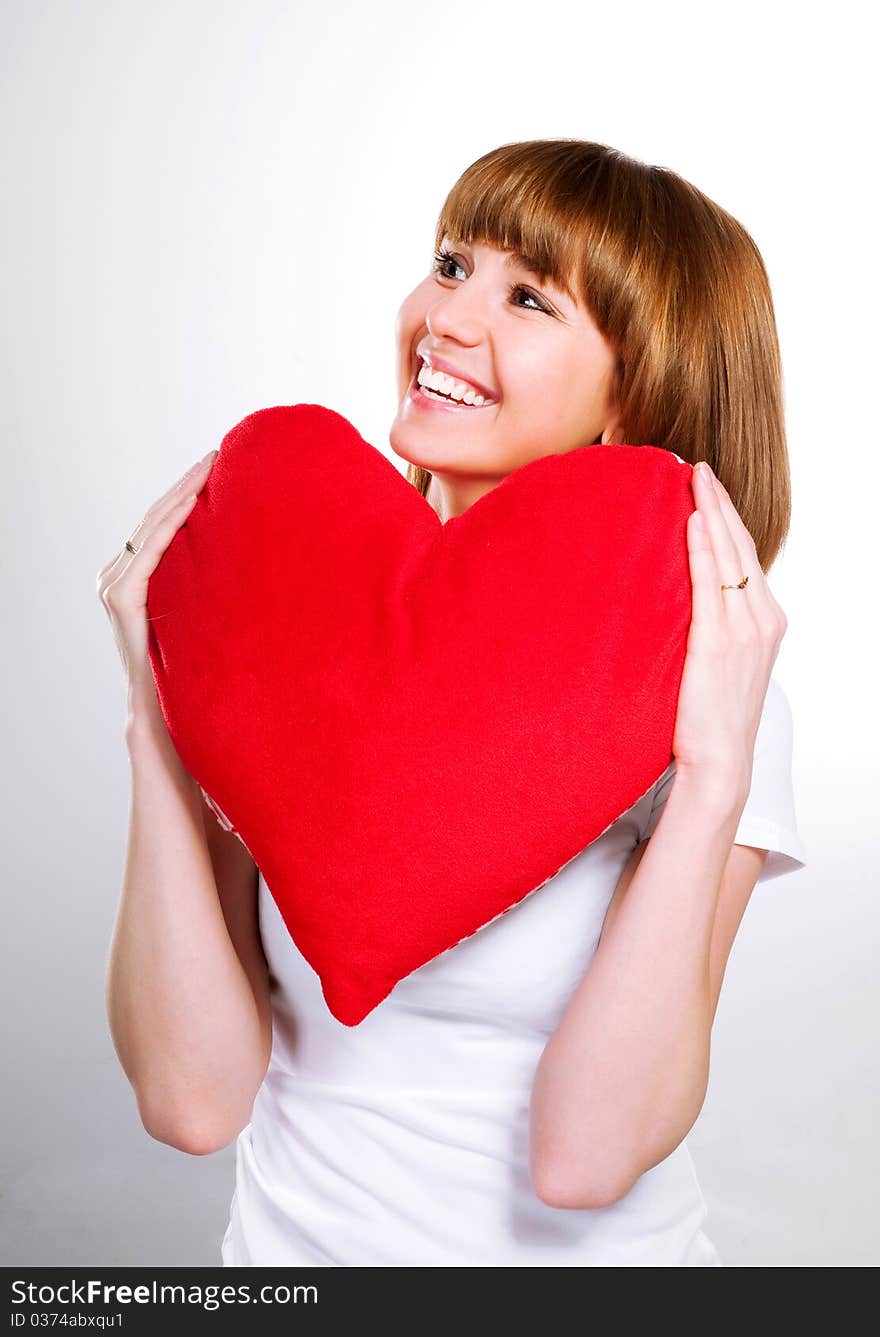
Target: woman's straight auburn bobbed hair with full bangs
673, 283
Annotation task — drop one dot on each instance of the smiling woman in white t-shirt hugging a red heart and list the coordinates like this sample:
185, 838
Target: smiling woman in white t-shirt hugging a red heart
524, 1098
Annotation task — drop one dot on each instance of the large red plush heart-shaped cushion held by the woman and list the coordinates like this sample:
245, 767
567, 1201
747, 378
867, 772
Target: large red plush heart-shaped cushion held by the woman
413, 725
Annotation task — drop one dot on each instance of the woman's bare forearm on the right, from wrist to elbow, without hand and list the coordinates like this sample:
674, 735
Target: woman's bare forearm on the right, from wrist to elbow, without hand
625, 1074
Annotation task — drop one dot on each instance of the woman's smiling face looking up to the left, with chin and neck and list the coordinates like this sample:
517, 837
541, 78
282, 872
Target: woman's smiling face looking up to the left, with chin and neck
537, 352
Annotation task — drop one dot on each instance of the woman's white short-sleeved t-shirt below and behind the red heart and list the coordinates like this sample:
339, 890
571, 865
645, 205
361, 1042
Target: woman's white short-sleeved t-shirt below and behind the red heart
405, 1141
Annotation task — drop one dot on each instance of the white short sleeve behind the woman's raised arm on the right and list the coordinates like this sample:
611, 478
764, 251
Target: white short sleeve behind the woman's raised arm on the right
768, 819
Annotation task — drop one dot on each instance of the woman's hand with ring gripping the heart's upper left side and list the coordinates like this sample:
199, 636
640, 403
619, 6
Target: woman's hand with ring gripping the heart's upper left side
122, 584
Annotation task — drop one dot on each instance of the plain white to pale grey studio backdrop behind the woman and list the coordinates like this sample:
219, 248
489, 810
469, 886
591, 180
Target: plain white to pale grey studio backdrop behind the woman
215, 208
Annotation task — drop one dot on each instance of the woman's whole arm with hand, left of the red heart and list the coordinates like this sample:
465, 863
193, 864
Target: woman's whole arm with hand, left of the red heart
188, 983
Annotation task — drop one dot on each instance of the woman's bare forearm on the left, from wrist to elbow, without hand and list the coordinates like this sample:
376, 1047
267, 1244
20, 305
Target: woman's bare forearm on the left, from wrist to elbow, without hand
181, 1010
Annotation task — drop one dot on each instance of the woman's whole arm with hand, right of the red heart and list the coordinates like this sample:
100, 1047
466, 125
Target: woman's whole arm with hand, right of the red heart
625, 1074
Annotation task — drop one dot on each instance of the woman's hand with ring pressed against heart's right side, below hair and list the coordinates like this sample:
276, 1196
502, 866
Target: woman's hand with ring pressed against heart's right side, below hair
732, 646
